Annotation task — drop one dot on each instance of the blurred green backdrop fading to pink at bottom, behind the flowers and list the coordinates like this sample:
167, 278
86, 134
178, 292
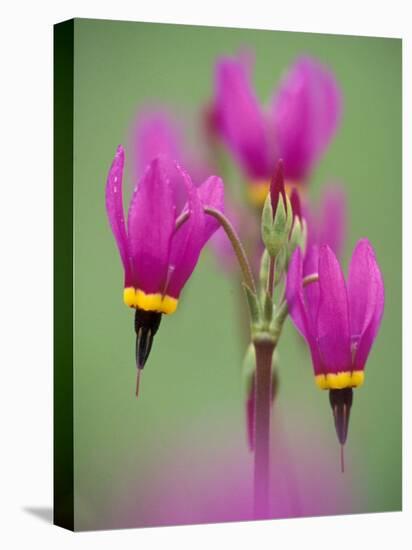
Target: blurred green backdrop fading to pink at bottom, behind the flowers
179, 453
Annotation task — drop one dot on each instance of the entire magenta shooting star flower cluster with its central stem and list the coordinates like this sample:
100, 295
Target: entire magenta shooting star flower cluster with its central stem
278, 233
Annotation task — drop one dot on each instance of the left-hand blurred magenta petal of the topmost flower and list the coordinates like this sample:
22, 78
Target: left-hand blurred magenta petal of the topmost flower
239, 118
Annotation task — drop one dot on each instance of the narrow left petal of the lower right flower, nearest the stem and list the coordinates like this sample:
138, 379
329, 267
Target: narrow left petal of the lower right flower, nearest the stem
297, 307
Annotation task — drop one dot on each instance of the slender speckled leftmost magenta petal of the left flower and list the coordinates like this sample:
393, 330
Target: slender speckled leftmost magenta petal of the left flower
114, 208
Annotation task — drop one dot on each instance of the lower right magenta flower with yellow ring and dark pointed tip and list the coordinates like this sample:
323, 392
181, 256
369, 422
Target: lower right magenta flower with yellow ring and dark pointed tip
339, 320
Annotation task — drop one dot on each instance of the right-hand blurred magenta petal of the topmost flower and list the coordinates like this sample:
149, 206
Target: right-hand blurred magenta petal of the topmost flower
306, 115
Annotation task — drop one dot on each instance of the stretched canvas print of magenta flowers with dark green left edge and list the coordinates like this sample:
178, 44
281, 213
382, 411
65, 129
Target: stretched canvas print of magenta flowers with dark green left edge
227, 274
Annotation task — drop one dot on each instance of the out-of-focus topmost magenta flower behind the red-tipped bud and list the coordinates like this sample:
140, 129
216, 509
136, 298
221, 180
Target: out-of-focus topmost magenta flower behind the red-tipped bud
298, 127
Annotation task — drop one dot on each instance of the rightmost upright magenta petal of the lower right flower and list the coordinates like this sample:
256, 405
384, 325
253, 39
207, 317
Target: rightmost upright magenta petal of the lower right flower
366, 300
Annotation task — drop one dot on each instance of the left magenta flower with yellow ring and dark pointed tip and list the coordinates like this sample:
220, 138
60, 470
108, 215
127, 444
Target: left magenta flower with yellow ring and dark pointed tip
160, 245
